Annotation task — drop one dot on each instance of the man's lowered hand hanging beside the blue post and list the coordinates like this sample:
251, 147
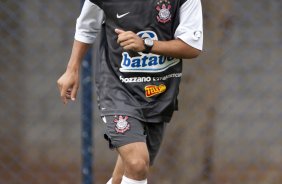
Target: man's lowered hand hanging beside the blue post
68, 85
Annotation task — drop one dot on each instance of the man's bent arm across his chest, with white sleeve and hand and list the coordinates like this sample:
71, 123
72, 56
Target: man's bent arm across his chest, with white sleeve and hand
188, 40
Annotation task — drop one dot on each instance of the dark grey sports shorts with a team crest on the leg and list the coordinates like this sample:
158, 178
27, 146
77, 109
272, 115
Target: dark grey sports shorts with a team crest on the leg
122, 130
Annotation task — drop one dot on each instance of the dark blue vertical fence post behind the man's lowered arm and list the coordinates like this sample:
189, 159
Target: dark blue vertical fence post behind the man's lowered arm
87, 118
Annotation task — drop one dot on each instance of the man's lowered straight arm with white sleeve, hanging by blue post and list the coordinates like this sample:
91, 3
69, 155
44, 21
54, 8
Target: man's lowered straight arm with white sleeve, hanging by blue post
88, 26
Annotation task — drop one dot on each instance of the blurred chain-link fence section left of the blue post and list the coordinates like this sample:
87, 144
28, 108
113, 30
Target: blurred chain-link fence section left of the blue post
40, 139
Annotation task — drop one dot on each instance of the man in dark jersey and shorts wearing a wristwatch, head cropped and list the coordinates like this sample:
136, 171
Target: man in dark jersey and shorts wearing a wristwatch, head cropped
137, 74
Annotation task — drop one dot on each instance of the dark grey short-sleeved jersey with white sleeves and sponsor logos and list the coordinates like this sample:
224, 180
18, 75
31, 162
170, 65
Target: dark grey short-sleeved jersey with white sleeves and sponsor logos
142, 85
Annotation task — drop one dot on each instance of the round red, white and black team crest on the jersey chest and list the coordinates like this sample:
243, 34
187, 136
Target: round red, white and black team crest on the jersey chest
163, 7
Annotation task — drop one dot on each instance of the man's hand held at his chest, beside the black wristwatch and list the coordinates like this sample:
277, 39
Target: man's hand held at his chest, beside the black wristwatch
130, 41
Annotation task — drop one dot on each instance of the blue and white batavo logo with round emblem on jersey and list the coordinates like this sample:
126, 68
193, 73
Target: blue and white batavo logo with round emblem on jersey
146, 63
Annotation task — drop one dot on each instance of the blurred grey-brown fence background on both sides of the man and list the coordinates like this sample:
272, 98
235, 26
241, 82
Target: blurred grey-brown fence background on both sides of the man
229, 126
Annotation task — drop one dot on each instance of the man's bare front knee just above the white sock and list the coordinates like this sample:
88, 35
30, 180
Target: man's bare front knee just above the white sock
138, 167
